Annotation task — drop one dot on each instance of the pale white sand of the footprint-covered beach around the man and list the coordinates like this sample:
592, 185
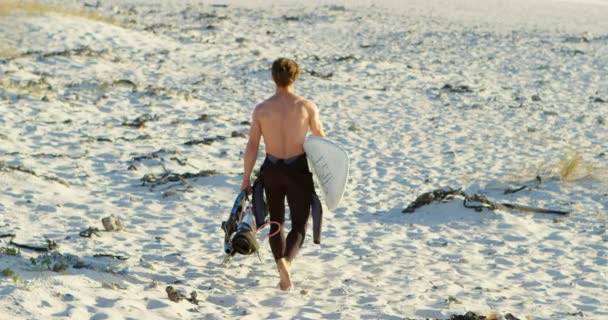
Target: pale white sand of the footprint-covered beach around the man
537, 72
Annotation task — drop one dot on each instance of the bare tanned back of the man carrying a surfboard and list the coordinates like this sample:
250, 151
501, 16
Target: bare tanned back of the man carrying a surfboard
284, 121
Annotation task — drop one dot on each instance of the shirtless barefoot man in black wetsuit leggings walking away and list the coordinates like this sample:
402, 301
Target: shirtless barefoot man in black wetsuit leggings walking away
283, 121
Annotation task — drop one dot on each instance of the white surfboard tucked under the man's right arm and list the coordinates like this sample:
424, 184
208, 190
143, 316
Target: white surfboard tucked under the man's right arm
330, 165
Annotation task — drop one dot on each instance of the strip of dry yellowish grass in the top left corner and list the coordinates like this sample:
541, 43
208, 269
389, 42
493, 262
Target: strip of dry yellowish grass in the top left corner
35, 8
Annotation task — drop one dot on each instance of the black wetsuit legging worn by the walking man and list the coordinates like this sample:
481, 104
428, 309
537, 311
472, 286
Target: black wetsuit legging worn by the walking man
289, 178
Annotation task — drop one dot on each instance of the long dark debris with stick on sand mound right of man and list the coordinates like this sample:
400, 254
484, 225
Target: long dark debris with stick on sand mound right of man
478, 202
